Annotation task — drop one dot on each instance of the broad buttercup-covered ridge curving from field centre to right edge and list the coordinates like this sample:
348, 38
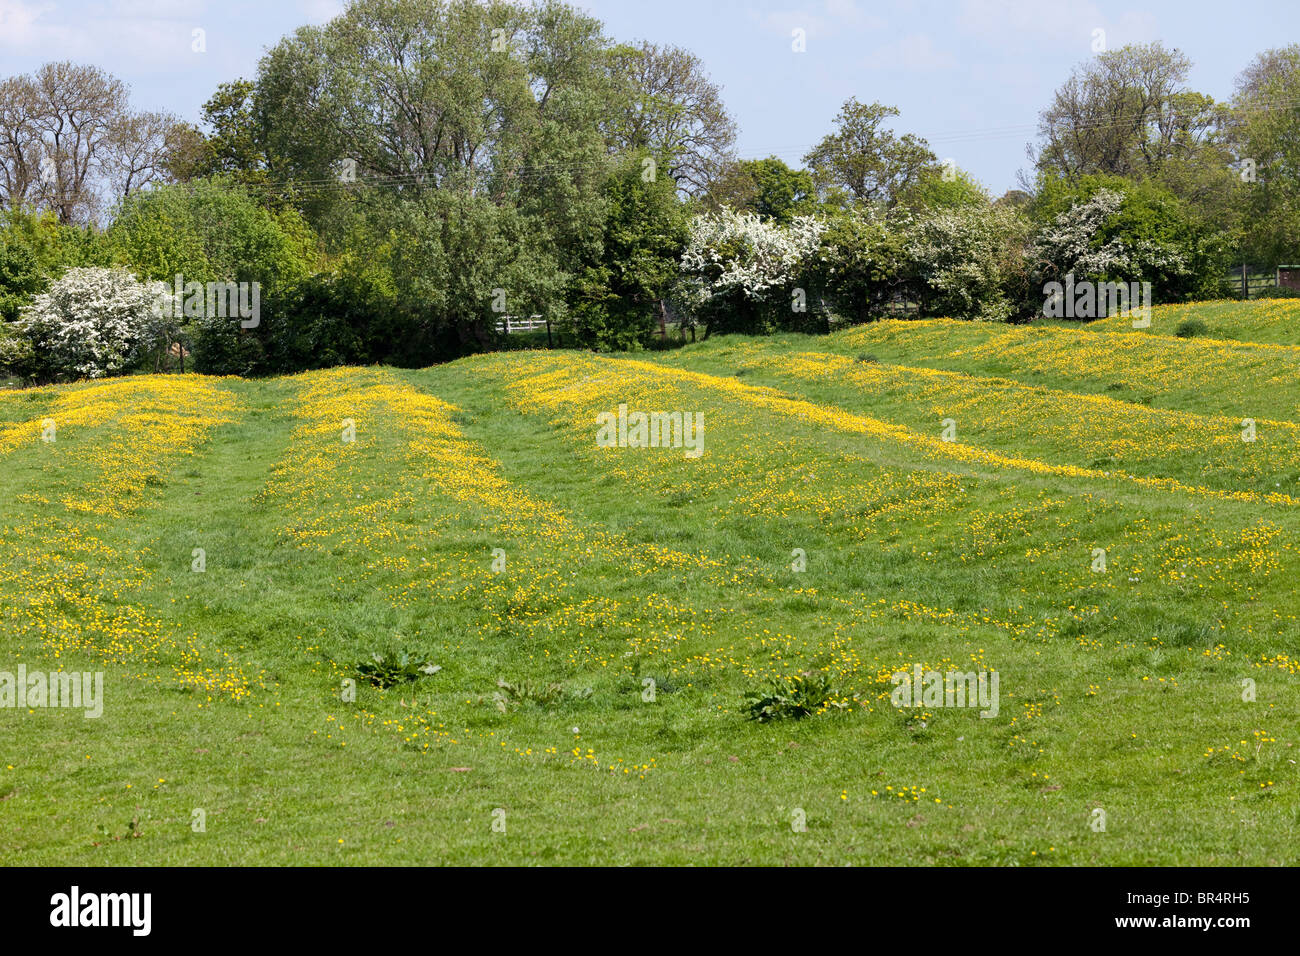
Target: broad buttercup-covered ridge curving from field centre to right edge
786, 466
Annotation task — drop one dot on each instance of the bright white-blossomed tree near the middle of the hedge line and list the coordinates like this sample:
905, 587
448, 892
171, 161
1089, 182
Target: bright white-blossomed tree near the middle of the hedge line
742, 269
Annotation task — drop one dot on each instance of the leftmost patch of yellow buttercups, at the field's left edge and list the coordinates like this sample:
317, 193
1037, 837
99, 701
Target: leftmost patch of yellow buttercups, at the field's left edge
64, 587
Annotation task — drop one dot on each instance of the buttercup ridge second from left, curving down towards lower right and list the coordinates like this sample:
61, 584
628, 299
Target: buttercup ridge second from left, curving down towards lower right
580, 600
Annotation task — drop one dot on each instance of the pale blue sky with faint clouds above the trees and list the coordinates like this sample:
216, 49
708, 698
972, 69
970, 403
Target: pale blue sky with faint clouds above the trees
969, 76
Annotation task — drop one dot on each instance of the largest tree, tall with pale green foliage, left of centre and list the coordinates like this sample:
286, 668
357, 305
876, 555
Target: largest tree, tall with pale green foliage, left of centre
484, 118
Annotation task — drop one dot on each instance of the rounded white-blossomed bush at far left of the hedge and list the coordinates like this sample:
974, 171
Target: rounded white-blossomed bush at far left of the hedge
93, 323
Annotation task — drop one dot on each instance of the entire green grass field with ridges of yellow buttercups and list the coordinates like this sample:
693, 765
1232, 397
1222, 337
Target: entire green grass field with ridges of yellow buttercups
478, 525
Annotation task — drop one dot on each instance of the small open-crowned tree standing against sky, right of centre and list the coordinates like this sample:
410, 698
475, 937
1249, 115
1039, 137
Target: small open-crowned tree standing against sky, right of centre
865, 163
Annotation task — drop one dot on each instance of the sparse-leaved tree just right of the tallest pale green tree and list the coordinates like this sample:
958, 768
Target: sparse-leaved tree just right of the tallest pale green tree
668, 106
